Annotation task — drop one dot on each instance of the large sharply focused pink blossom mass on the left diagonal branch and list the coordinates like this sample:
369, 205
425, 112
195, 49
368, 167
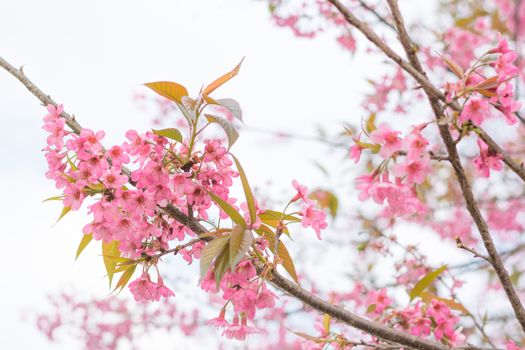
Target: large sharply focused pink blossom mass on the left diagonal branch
163, 173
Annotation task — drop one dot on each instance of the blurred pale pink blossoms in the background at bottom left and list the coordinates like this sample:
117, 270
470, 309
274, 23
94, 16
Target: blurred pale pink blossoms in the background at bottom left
109, 323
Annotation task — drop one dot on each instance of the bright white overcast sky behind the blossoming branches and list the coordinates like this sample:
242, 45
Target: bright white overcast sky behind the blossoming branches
93, 56
